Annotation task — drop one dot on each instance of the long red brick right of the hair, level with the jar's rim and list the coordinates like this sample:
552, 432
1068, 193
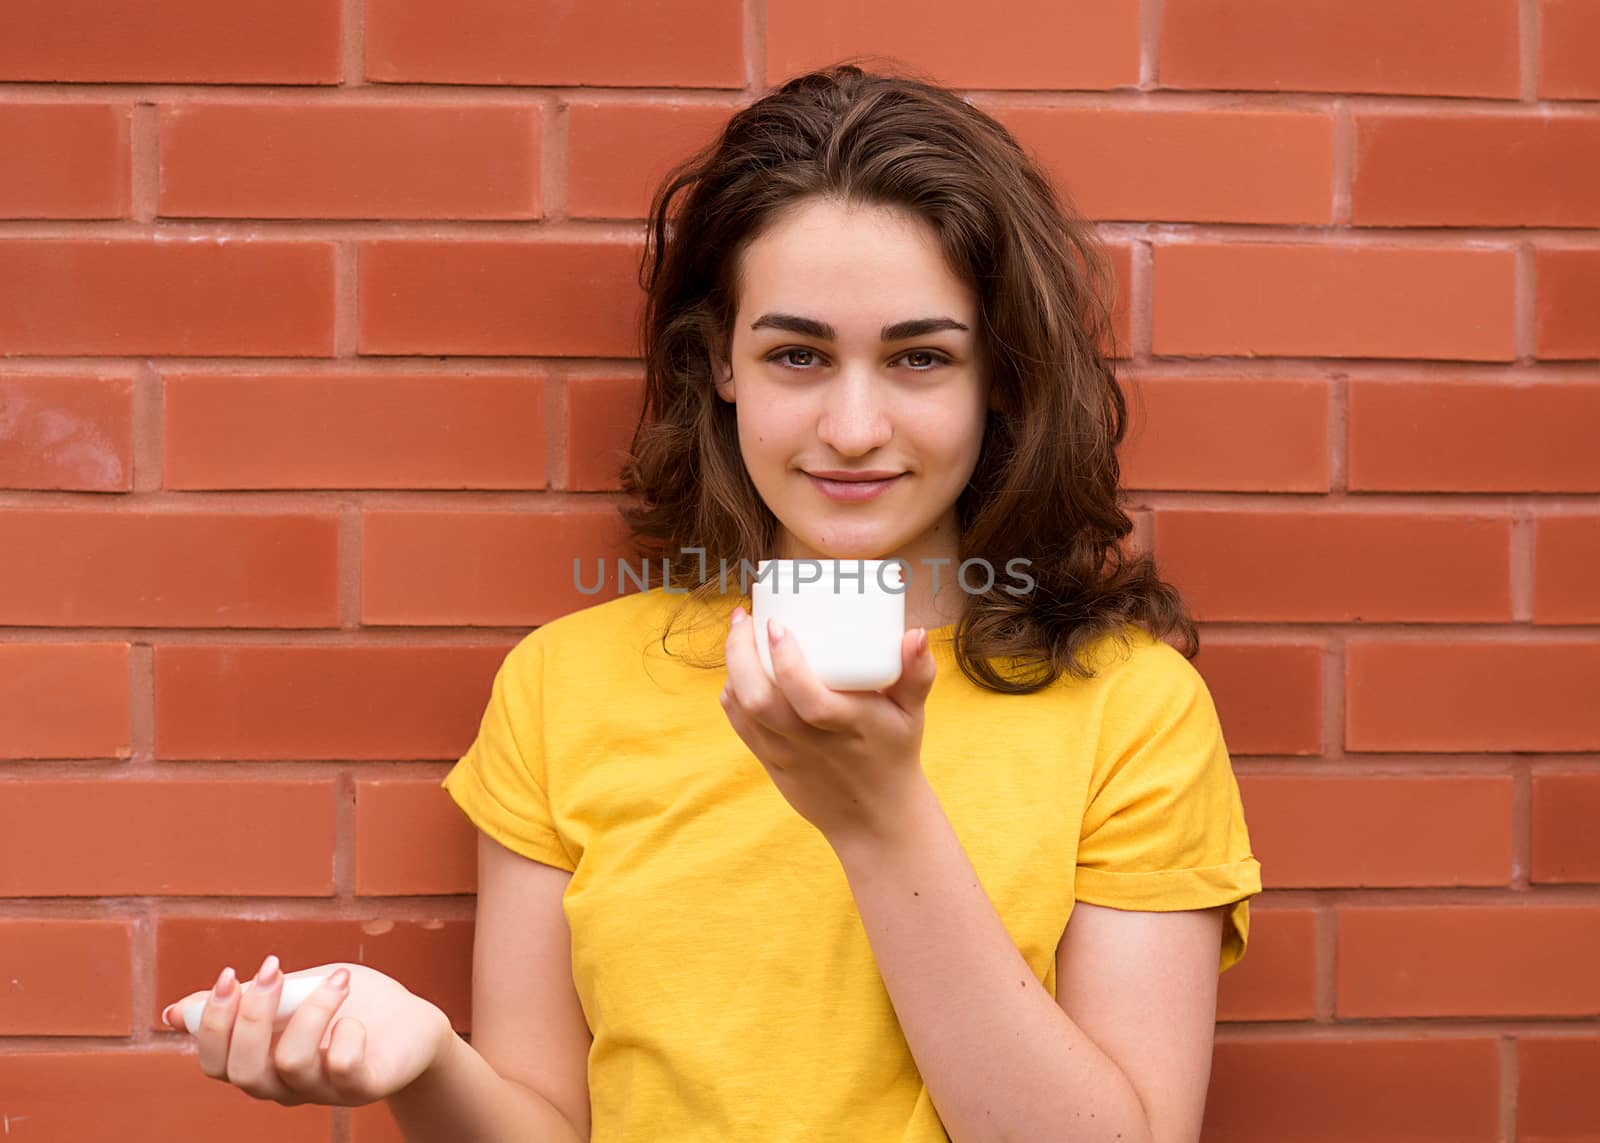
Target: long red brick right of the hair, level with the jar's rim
1338, 567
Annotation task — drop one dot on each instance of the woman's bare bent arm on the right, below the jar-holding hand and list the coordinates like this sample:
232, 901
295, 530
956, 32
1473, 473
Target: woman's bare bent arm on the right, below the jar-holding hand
1004, 1061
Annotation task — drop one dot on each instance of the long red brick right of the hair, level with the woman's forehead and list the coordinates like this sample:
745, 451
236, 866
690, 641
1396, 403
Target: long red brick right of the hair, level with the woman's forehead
1318, 300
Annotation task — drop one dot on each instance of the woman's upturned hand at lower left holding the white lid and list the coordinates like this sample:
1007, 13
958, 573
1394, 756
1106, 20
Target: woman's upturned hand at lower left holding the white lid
350, 1043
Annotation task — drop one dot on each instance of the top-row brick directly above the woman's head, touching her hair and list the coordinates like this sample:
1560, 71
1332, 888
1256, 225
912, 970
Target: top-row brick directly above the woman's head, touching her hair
1038, 46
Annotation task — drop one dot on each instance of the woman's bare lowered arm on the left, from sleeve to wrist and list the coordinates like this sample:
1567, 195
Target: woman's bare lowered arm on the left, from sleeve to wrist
526, 1077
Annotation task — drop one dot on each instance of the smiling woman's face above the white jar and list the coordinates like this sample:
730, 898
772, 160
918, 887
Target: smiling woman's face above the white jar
855, 353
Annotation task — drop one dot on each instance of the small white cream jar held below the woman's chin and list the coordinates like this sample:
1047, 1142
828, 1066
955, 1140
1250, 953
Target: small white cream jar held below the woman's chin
847, 617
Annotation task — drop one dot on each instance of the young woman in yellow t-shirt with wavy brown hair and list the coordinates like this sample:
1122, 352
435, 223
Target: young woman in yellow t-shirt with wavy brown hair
988, 902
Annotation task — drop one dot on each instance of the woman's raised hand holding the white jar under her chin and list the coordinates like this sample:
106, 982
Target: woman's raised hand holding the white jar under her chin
849, 763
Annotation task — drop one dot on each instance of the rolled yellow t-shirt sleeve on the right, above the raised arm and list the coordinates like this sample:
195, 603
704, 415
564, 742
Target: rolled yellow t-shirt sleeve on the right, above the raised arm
1164, 828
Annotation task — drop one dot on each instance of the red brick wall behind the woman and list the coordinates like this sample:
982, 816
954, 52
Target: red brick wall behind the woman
318, 332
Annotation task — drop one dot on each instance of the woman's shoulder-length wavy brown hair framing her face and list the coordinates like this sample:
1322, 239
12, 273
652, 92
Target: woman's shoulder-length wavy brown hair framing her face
1046, 484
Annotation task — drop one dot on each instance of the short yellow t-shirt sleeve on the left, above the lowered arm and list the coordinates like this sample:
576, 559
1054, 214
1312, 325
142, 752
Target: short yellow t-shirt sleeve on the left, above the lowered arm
502, 784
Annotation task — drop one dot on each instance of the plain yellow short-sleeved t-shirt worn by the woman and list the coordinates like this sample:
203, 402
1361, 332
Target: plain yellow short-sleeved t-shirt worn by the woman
718, 952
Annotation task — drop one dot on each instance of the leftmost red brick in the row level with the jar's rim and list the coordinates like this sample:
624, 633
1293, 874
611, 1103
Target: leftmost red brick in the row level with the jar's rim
161, 569
